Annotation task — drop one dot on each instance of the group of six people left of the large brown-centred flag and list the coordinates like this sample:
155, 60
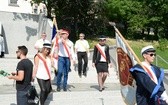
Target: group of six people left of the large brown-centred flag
59, 55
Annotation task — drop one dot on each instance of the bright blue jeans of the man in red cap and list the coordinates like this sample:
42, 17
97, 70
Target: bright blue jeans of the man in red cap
63, 69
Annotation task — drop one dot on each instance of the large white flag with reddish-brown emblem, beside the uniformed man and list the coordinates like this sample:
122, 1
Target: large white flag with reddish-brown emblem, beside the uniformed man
125, 60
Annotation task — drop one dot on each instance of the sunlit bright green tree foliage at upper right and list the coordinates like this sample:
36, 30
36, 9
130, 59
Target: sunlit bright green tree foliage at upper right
137, 15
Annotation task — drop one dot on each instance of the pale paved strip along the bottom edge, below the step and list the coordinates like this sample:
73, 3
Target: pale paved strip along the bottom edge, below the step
74, 98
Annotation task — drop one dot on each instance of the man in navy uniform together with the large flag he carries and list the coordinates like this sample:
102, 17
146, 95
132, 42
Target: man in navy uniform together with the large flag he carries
149, 78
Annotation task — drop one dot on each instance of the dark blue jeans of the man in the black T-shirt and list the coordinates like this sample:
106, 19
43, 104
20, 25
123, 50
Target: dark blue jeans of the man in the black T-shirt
21, 98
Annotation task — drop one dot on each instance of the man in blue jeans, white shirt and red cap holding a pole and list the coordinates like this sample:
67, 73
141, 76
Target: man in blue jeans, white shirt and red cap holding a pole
65, 55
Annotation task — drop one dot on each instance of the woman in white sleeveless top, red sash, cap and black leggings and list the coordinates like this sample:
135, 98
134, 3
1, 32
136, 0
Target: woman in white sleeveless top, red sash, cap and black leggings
42, 71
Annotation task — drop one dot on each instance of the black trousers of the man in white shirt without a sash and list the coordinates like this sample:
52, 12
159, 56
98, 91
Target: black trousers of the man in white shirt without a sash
82, 56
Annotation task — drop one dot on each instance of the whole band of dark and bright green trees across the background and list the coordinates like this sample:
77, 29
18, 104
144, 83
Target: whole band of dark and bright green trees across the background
91, 18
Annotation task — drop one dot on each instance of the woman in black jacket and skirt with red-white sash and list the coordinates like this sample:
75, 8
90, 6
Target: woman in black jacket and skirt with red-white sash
101, 60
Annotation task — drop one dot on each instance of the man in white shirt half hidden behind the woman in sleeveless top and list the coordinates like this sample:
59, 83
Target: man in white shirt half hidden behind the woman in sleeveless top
39, 43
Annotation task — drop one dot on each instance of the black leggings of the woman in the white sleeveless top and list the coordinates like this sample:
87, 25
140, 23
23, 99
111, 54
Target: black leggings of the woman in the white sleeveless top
45, 86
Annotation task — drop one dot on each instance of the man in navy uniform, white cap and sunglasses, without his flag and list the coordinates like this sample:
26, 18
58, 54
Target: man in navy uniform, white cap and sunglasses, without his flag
149, 80
